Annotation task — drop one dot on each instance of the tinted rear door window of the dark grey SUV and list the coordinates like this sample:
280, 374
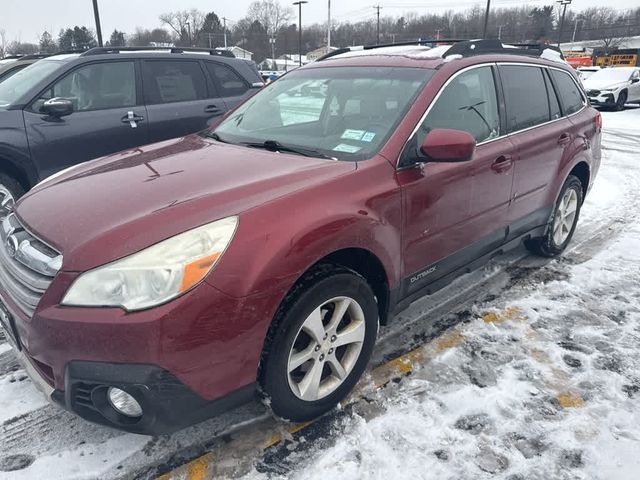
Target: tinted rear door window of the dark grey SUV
173, 81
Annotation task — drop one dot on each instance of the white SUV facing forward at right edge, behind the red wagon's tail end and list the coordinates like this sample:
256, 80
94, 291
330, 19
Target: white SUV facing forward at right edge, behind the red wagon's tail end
614, 87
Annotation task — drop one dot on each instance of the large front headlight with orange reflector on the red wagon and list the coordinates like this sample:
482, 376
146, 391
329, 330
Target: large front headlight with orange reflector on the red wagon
156, 274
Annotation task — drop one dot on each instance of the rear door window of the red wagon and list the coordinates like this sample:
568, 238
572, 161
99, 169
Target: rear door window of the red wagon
525, 95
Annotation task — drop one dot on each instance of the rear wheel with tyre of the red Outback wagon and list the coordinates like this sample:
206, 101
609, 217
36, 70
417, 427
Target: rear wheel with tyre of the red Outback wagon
563, 222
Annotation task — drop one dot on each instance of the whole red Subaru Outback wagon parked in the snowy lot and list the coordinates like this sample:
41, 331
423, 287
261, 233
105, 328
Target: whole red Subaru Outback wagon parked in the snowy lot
156, 287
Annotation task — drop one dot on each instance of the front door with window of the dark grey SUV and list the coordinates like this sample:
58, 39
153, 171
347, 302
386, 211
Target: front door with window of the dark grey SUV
108, 116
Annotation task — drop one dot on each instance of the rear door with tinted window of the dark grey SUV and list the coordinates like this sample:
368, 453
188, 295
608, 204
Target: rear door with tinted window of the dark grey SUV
178, 97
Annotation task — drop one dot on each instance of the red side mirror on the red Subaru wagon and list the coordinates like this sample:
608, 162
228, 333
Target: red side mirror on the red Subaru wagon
444, 145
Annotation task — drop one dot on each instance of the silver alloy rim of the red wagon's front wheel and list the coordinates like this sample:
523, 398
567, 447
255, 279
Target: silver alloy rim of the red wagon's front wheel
326, 348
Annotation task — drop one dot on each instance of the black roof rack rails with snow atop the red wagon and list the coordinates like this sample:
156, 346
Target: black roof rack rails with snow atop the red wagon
465, 48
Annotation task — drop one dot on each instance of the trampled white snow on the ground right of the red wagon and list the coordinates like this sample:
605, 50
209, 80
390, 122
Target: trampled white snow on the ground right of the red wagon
542, 384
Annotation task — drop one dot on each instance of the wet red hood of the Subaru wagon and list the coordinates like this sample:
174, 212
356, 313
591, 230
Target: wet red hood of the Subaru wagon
111, 207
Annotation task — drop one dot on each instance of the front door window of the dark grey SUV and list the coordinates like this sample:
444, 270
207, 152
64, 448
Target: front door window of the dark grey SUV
98, 86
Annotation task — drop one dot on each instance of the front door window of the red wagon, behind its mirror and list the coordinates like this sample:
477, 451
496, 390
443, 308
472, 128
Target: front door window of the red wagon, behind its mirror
469, 103
